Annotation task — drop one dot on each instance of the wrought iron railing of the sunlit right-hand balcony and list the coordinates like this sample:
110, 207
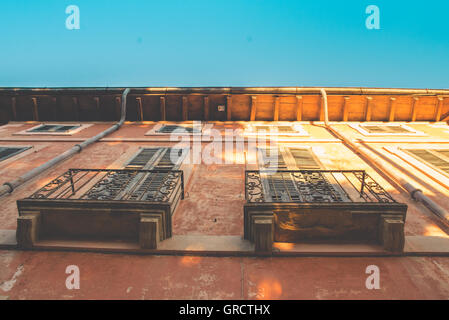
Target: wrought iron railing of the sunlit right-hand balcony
313, 186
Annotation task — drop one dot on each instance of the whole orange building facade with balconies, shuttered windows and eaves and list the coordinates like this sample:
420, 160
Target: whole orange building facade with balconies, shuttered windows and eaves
272, 176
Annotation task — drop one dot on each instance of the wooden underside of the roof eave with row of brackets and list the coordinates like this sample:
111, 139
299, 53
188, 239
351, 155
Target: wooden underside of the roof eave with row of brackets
236, 104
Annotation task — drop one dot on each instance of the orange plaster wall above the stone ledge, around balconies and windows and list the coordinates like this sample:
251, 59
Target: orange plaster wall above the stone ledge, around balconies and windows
215, 192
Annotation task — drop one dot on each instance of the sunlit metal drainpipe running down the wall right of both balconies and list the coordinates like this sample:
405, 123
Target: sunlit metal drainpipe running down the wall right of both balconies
415, 193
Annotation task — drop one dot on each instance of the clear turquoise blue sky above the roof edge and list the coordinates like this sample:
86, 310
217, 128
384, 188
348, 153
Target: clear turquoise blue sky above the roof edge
224, 43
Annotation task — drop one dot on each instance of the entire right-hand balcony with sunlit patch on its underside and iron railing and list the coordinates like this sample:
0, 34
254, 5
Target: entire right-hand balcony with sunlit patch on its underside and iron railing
320, 206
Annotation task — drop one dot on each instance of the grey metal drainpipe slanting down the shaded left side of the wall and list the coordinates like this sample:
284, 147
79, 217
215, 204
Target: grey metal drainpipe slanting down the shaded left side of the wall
9, 187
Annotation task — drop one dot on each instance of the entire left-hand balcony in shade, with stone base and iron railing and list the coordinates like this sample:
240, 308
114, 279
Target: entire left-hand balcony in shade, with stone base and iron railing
128, 205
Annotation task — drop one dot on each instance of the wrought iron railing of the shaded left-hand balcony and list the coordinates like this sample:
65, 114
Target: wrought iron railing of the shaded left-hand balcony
113, 185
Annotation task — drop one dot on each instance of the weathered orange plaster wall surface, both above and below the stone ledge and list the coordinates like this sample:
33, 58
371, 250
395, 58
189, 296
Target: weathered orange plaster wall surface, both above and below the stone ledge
214, 206
